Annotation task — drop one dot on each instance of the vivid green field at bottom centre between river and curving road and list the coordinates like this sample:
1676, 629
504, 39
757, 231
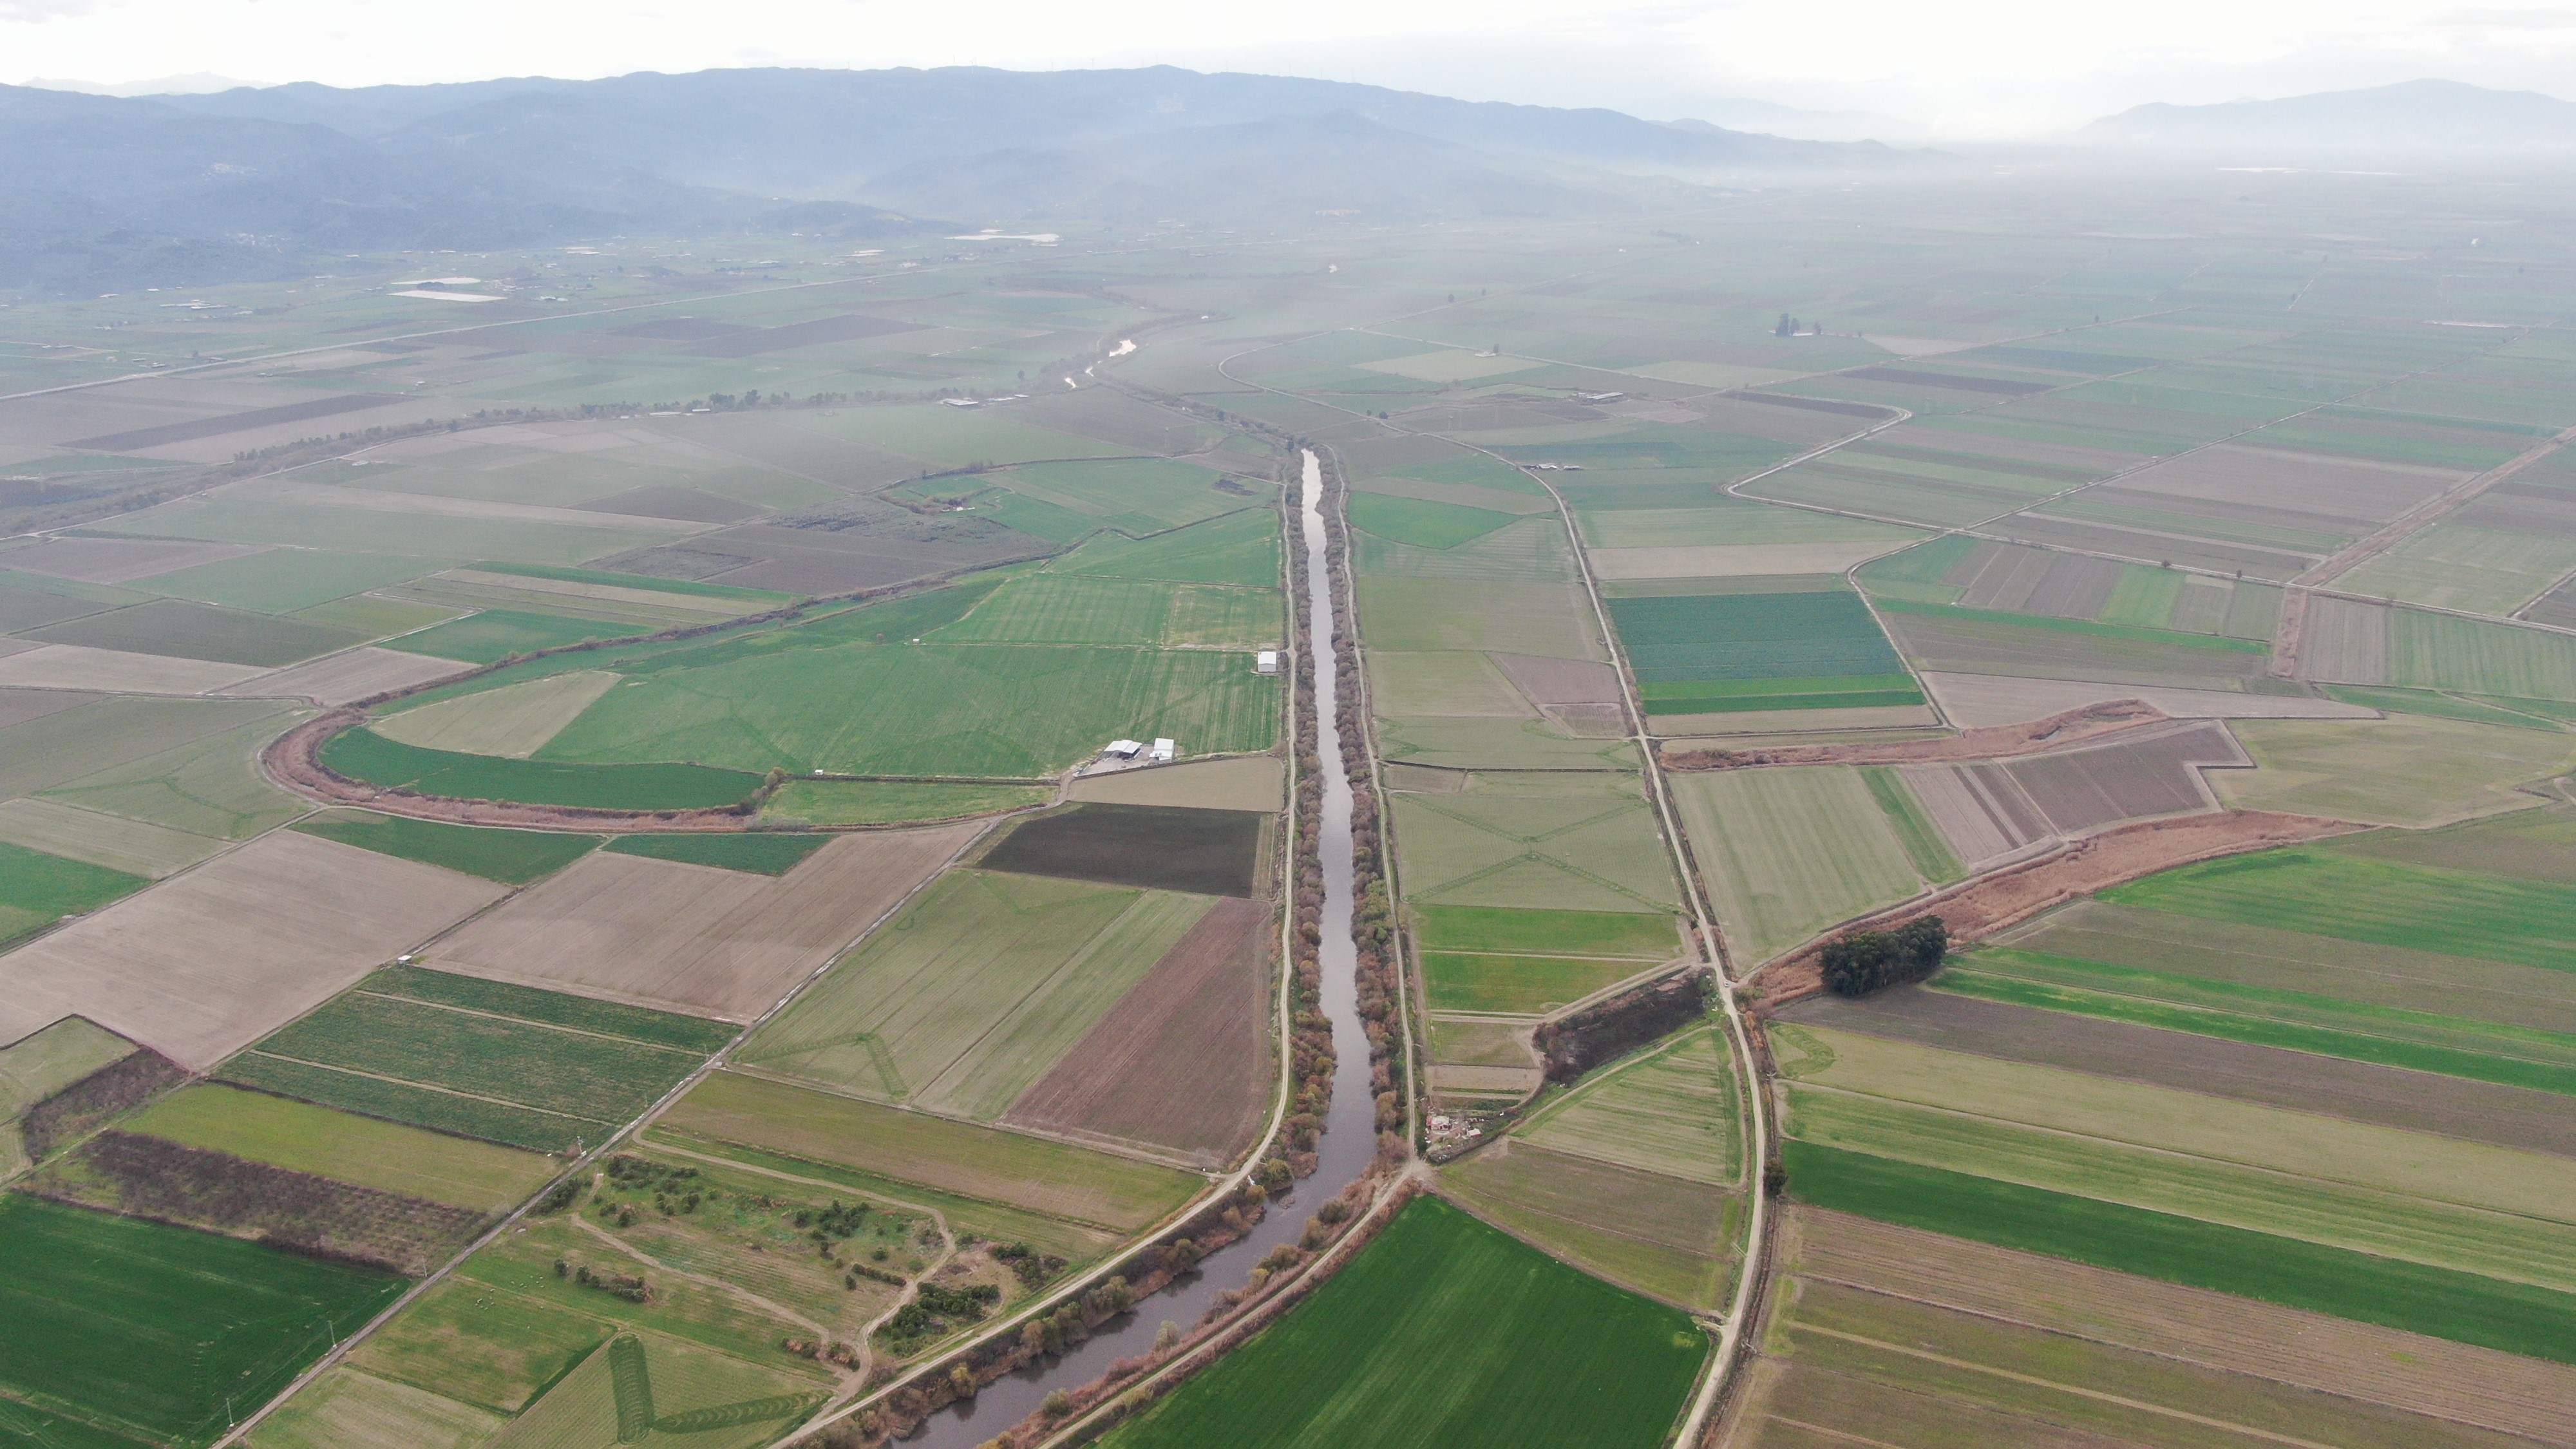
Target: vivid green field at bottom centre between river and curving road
1444, 1334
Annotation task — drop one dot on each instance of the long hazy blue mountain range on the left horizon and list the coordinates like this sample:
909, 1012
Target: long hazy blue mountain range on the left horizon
254, 182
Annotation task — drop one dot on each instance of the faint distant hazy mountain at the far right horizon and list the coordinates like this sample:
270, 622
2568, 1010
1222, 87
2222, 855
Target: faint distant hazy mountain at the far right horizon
2392, 120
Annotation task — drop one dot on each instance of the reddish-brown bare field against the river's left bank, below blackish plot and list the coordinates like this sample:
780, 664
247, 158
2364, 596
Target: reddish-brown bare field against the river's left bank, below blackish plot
1184, 1058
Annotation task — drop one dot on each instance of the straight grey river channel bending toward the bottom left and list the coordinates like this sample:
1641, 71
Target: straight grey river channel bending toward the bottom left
1351, 1128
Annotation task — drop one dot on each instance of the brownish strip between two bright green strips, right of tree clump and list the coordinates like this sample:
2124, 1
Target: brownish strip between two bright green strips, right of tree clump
2289, 960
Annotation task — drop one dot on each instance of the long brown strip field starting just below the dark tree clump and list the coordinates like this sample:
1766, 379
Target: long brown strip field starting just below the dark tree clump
2271, 1076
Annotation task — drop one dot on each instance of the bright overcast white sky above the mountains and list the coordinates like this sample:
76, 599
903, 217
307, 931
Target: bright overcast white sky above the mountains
1969, 68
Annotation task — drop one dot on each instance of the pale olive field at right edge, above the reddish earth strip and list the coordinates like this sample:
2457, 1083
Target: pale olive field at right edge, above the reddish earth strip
2407, 770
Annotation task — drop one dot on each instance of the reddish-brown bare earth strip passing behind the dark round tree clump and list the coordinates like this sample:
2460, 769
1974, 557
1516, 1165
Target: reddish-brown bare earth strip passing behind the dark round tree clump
1982, 906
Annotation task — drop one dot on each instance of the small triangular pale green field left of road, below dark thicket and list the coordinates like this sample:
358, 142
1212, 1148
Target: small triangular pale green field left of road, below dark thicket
1671, 1113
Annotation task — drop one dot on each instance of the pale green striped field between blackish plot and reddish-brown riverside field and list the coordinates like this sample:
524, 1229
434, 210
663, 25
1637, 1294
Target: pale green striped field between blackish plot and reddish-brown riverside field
965, 999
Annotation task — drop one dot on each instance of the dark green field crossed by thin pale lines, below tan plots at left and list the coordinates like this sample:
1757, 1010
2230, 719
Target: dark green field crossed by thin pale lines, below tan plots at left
514, 1066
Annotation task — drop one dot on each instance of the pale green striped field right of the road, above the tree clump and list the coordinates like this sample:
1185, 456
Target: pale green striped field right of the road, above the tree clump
1789, 852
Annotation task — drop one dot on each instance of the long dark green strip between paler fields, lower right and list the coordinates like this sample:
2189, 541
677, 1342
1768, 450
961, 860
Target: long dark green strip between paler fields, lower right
2415, 1298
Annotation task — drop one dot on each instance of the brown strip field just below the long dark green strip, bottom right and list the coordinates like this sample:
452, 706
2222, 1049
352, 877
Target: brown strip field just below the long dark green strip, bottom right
2384, 1365
